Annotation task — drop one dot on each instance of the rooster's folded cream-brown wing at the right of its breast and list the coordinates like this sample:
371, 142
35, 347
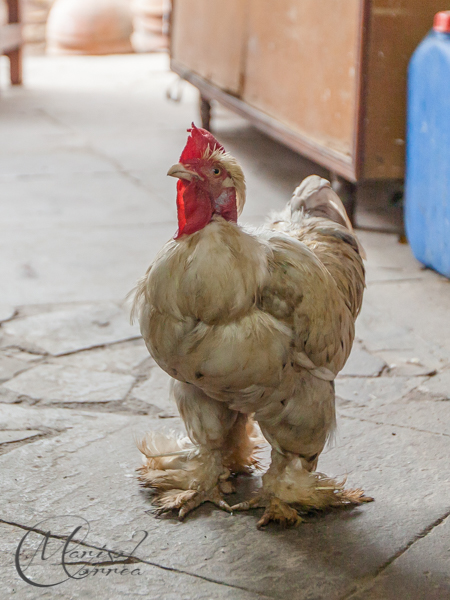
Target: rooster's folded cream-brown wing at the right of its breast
303, 294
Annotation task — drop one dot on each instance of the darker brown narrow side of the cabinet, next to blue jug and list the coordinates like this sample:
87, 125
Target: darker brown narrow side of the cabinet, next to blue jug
396, 28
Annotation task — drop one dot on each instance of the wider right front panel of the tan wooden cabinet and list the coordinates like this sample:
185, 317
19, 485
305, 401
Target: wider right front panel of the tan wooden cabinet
301, 67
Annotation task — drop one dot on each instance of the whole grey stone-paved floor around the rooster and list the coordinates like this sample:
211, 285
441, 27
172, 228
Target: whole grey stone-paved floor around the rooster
84, 206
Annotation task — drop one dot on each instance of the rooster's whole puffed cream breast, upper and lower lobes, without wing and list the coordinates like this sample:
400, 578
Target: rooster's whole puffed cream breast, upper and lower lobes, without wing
198, 313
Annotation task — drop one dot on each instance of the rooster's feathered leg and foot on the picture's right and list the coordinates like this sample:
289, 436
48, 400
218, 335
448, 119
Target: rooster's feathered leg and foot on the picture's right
298, 435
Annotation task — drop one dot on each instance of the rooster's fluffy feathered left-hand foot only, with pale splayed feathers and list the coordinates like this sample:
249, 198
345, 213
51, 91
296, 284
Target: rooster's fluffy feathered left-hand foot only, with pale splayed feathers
181, 475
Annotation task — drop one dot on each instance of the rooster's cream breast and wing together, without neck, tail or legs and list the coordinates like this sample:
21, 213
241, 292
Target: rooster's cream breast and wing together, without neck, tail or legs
230, 311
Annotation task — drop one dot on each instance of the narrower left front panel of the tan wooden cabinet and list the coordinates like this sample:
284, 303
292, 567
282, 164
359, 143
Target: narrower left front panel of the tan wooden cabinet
208, 38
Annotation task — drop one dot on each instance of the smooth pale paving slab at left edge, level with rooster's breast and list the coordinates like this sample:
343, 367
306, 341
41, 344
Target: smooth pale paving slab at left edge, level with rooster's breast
77, 263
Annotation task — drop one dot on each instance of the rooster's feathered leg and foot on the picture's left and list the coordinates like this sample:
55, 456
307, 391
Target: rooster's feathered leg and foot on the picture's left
186, 472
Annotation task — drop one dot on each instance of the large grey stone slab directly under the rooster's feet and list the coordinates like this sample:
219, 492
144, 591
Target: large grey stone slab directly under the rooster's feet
89, 471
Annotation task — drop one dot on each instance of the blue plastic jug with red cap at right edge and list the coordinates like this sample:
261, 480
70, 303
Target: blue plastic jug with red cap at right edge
427, 192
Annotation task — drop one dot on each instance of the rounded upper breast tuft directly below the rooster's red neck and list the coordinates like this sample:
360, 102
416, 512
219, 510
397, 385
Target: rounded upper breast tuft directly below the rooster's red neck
213, 275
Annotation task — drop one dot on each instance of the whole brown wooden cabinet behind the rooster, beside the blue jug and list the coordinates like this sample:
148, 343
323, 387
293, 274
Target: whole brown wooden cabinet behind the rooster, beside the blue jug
326, 77
